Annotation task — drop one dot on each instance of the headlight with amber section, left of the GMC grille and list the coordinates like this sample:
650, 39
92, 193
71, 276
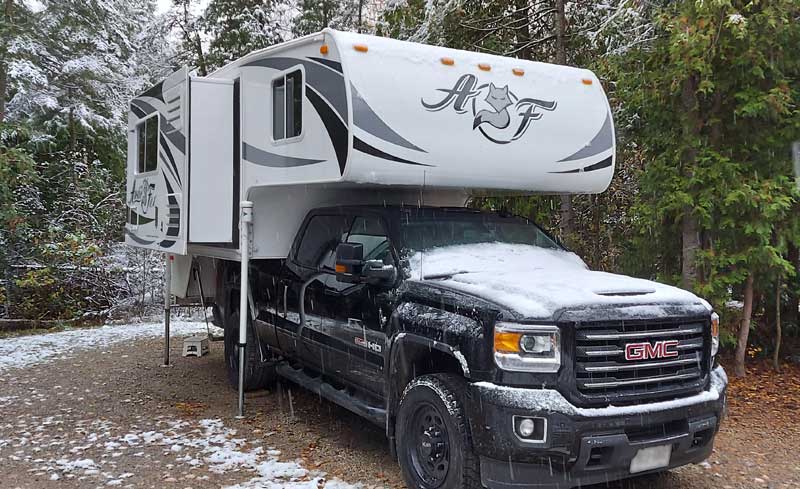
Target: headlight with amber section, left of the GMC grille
527, 348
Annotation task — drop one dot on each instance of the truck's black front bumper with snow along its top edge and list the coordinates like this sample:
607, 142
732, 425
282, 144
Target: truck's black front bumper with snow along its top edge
585, 446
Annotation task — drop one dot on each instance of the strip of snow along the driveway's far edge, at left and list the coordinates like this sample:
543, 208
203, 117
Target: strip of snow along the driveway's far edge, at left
24, 351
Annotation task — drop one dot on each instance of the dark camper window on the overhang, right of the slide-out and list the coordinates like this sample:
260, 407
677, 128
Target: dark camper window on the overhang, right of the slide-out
287, 106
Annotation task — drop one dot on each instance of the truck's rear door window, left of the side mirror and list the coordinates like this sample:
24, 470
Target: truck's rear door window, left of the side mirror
318, 246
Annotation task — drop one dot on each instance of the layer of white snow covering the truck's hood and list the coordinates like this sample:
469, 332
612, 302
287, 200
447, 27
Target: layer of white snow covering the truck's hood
536, 282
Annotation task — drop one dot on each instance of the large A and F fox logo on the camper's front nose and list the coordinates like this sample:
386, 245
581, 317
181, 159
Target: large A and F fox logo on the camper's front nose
497, 112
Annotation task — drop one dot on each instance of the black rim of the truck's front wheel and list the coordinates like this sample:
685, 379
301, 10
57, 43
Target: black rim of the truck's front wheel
429, 447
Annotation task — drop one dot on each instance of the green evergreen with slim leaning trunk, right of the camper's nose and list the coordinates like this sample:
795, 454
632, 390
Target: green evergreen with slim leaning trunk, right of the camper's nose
716, 108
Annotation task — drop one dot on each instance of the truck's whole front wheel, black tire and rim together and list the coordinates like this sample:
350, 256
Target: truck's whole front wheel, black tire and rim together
434, 446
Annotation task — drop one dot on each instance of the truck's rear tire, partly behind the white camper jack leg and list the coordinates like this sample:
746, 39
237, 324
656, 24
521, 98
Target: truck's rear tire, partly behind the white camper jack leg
257, 374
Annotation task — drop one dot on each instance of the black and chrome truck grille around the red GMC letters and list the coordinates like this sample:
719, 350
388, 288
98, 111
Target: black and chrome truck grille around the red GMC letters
603, 375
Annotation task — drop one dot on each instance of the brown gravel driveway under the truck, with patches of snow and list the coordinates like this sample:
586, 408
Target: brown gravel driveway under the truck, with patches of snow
94, 408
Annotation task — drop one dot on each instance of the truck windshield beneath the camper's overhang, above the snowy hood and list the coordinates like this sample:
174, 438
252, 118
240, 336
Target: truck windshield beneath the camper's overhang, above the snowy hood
420, 233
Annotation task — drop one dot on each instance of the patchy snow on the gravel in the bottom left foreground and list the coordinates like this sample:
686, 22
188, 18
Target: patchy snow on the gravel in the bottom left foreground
196, 446
